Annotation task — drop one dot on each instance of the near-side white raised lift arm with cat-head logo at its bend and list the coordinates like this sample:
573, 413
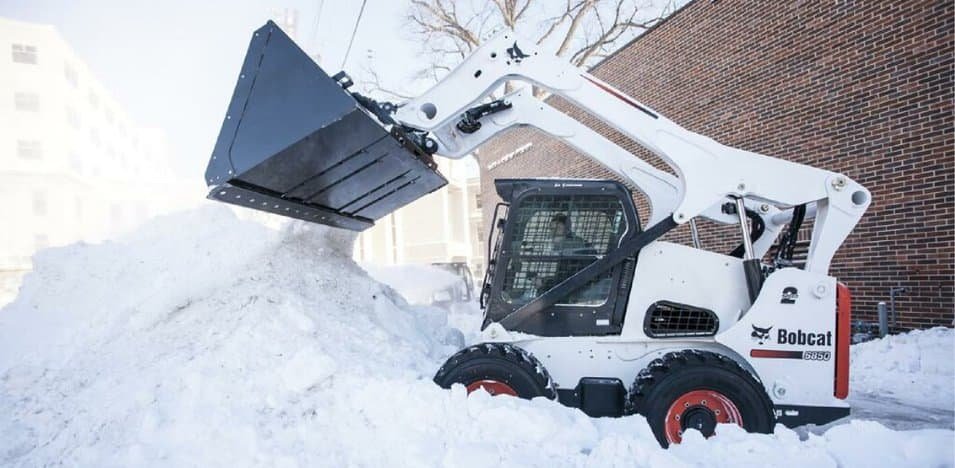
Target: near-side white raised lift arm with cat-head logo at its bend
708, 172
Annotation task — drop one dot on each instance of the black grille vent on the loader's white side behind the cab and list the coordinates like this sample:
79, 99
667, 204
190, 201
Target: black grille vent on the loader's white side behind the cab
668, 319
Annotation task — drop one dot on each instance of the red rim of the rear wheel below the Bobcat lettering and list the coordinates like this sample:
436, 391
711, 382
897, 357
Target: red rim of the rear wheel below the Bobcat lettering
701, 404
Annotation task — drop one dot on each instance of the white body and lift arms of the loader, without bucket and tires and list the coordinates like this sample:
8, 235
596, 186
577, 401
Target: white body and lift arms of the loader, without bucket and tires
802, 380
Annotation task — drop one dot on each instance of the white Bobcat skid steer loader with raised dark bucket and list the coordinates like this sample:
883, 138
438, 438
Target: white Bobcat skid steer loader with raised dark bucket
583, 303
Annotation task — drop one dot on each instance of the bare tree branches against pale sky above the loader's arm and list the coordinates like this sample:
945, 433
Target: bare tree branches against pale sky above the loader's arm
583, 31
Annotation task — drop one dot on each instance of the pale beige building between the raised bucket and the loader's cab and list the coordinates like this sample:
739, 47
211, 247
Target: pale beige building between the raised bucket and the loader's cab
439, 227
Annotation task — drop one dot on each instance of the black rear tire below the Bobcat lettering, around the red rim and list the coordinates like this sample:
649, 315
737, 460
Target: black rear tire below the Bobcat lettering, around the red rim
677, 374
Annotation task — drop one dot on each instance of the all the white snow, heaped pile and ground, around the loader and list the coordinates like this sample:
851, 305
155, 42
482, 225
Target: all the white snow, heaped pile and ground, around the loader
204, 340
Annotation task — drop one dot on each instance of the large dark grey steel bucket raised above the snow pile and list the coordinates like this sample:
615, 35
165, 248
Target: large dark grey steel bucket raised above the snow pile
295, 143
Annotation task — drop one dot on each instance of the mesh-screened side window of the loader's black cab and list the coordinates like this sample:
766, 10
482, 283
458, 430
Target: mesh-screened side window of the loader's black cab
556, 236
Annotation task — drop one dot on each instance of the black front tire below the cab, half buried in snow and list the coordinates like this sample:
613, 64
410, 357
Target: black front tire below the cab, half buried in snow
500, 362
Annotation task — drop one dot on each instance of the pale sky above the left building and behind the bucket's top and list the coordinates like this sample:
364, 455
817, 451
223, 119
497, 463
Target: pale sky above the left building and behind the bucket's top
173, 64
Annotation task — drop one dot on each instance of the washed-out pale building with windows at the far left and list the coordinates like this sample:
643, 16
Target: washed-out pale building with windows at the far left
72, 165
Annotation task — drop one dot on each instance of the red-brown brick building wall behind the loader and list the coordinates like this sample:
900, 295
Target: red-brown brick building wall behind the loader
859, 87
